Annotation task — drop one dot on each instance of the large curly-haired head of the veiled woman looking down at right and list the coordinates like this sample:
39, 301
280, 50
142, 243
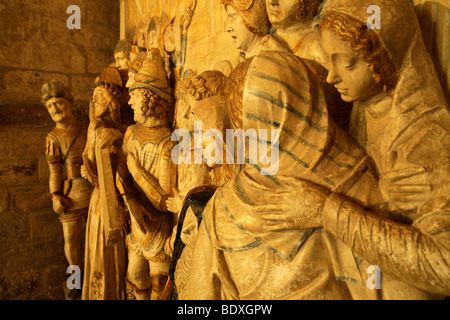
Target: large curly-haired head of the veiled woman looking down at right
359, 66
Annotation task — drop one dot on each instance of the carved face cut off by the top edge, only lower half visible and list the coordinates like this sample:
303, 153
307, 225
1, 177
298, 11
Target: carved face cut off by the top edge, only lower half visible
282, 13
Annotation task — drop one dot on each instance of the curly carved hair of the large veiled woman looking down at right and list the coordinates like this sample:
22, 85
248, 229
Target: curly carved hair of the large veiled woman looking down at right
366, 44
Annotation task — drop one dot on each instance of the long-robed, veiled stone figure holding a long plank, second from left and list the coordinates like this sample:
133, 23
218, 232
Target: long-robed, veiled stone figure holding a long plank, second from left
105, 255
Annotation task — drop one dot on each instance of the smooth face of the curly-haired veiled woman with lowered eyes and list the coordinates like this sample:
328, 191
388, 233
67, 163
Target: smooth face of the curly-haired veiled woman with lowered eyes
349, 73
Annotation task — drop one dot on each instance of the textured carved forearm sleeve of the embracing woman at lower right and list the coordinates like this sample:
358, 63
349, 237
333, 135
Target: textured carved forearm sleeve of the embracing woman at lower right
416, 257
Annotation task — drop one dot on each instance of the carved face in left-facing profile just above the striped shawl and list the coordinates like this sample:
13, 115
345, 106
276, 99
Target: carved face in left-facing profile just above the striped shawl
237, 29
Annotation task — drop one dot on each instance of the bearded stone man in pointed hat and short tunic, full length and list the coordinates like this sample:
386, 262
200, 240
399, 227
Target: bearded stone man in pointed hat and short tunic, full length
148, 148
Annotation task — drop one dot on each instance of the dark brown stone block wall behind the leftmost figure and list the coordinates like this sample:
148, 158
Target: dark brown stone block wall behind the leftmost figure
36, 46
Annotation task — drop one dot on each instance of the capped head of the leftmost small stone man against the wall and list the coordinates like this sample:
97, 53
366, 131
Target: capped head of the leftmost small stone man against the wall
56, 97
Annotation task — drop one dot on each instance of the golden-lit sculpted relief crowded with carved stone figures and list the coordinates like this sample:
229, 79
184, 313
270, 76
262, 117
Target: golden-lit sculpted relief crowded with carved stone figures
277, 149
